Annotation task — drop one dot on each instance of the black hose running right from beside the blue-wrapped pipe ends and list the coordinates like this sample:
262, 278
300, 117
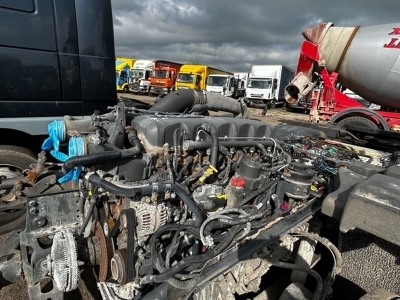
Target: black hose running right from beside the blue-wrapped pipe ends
93, 158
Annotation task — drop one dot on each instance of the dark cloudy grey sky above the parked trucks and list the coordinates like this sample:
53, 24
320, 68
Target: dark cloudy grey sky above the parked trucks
232, 34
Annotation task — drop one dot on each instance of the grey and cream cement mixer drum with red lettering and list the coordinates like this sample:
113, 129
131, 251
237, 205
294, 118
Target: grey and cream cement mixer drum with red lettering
367, 59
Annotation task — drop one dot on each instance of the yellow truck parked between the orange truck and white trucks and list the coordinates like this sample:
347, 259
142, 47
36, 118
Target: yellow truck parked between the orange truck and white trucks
194, 76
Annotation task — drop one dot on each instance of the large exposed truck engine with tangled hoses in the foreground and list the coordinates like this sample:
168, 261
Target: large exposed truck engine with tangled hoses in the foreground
181, 204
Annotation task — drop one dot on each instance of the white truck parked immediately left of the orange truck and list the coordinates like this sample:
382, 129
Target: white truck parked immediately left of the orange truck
140, 76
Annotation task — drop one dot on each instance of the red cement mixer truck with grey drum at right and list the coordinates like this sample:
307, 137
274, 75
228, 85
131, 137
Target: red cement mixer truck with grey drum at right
365, 60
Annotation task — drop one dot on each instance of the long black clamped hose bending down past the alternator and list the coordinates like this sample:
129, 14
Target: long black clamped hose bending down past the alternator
148, 190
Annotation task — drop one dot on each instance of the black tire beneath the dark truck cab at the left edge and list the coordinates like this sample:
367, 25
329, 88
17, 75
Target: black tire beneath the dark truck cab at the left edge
13, 160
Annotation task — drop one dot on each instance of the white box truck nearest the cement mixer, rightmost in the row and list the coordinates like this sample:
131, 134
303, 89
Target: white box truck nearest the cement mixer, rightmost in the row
266, 84
